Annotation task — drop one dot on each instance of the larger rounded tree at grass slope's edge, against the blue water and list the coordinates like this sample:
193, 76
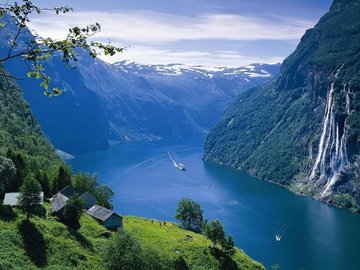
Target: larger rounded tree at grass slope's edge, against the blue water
190, 215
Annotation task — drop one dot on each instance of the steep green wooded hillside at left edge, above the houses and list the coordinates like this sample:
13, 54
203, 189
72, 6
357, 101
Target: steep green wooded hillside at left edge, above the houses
19, 131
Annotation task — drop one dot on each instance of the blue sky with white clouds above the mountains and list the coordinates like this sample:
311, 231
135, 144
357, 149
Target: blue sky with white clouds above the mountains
227, 33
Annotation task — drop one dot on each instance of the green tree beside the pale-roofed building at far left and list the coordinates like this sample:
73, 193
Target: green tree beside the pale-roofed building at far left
29, 198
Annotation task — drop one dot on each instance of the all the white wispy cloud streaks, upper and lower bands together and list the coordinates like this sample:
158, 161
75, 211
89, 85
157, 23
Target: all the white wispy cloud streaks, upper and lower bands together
149, 33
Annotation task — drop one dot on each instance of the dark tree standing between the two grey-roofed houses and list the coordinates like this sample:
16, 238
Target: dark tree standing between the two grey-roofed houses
72, 212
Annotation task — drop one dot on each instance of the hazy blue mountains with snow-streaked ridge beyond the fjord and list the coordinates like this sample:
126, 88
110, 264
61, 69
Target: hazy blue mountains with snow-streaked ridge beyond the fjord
103, 104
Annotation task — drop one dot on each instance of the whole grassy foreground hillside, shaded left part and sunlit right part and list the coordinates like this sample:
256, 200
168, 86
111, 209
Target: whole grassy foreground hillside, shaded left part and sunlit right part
49, 244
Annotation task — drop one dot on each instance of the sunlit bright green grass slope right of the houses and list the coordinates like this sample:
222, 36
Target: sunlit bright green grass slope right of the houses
171, 241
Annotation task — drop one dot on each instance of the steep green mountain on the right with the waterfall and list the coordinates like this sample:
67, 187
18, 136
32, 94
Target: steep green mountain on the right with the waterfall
302, 129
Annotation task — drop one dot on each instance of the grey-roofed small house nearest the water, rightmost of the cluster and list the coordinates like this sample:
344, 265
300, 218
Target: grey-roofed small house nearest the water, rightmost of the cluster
106, 217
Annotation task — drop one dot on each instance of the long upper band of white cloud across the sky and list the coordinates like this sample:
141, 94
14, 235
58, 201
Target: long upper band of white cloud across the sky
159, 28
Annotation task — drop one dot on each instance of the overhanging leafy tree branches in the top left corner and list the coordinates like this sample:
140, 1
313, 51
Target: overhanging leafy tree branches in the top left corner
39, 49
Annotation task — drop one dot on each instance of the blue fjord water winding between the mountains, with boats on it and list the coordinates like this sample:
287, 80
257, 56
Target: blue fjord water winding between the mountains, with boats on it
313, 235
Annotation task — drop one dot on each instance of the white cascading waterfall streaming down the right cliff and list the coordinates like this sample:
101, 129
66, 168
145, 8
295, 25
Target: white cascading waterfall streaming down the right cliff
331, 160
